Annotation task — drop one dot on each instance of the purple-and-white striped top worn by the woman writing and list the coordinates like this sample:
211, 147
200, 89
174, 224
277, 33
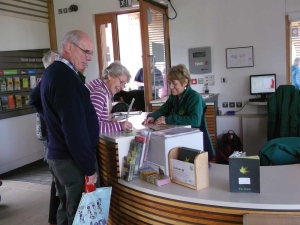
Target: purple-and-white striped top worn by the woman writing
101, 99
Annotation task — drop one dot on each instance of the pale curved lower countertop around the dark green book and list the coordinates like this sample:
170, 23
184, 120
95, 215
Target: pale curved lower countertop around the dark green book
280, 186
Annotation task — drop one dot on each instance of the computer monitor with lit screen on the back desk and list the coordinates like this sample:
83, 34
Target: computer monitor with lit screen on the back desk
262, 85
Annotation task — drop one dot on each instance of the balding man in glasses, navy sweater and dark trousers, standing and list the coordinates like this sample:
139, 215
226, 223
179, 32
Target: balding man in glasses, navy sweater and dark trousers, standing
64, 103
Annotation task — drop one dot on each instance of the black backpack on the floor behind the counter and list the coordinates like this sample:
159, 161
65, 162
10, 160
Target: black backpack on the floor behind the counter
229, 143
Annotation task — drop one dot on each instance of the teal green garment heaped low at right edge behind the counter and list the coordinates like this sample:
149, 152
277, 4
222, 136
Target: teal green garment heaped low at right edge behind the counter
280, 151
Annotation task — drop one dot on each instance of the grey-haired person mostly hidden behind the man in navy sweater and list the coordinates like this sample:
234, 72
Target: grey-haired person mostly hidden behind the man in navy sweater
48, 58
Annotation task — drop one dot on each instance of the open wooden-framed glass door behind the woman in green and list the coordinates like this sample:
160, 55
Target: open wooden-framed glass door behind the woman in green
155, 49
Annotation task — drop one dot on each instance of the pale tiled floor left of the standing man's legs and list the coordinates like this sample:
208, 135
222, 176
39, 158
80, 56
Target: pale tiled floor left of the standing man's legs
24, 203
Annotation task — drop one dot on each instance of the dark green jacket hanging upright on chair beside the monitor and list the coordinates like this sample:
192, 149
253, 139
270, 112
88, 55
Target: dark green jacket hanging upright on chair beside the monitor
284, 113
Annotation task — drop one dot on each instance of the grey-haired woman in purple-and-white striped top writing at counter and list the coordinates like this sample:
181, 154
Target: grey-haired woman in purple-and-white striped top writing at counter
113, 80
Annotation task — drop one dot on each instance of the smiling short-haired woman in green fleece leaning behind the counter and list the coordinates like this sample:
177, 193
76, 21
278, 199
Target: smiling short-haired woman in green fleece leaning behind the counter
184, 106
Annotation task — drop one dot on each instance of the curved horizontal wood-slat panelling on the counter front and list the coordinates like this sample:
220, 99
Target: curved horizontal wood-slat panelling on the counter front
129, 206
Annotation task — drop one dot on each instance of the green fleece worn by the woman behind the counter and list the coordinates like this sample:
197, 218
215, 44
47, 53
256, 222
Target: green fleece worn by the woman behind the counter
188, 111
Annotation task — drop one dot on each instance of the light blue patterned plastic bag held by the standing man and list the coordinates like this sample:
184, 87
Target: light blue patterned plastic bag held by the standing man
93, 207
